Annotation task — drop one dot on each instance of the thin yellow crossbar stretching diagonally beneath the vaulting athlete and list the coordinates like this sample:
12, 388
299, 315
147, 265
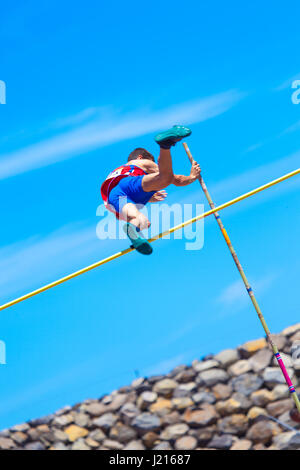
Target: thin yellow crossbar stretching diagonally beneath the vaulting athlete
157, 237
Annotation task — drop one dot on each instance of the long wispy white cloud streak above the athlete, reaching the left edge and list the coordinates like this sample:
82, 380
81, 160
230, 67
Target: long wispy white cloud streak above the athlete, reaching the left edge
108, 130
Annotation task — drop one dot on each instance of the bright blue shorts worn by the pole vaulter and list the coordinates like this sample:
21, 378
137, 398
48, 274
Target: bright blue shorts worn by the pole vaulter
129, 189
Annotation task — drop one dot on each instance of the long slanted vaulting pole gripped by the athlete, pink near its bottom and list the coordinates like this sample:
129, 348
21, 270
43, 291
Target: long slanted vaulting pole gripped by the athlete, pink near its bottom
247, 285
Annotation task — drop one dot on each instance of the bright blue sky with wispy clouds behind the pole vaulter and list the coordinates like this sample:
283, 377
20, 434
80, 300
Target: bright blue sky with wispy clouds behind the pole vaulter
86, 85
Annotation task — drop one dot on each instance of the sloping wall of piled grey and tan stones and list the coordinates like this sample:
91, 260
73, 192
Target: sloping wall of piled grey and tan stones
225, 401
